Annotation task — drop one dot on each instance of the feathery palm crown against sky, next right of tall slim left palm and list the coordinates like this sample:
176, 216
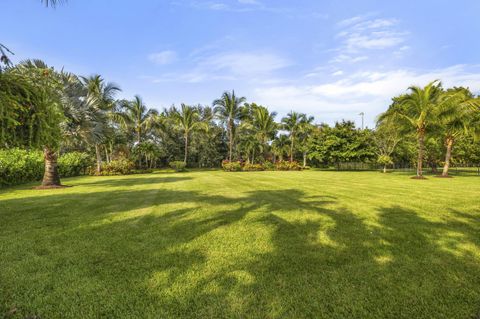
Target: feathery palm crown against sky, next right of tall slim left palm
135, 115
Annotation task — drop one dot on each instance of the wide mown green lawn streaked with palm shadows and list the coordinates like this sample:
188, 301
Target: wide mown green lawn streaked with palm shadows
210, 244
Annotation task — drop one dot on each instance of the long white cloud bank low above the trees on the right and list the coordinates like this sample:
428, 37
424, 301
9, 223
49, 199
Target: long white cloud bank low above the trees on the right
368, 92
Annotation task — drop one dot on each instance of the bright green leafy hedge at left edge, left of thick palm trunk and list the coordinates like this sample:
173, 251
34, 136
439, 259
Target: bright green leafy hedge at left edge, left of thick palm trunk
19, 166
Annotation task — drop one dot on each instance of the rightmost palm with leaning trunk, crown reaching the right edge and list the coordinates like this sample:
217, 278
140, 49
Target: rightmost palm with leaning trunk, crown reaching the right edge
456, 118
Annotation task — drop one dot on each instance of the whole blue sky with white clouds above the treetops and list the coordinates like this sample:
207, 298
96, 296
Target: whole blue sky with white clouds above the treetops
330, 59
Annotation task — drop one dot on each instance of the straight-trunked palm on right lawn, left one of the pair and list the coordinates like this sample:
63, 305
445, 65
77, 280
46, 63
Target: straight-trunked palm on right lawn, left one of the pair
416, 110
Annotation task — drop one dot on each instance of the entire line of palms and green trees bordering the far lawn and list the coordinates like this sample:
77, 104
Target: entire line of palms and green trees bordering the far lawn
60, 112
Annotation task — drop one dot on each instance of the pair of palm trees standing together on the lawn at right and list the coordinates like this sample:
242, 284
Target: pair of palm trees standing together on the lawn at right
432, 110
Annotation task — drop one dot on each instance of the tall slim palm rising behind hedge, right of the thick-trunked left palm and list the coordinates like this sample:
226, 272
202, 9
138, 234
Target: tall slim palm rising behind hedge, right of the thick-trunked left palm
102, 100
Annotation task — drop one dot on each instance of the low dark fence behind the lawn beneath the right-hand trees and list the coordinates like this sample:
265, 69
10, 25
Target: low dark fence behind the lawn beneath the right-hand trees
464, 169
